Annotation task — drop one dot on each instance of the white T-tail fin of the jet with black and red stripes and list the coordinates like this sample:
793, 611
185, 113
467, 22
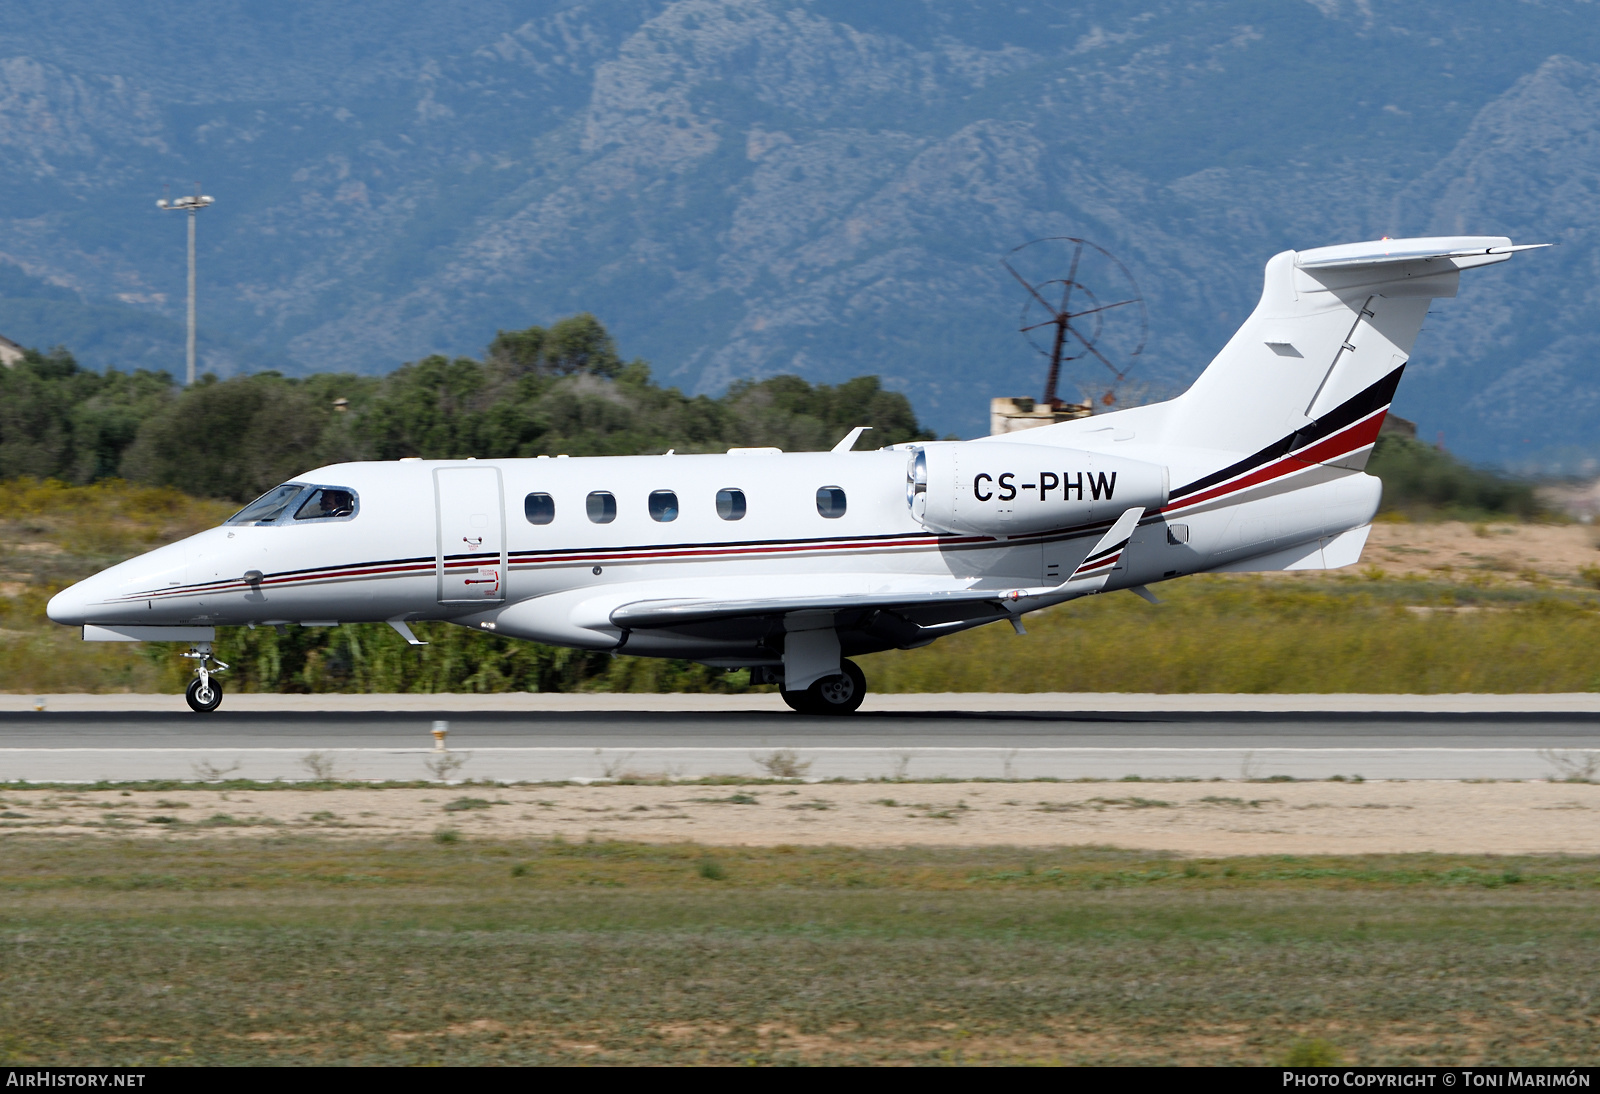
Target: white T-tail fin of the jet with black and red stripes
1310, 377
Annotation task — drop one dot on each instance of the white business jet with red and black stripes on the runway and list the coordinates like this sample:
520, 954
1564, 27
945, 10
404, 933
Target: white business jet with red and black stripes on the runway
788, 564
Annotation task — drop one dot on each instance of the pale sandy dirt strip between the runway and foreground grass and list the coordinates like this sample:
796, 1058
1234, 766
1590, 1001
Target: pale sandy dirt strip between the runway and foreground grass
1190, 818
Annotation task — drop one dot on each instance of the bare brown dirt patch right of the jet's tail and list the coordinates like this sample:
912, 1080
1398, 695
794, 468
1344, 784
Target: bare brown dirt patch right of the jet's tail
1457, 551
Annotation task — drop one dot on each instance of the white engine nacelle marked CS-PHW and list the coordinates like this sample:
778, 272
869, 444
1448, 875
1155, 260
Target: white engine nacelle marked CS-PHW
1010, 490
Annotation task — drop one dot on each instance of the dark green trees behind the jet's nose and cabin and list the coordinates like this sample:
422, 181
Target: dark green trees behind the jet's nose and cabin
538, 393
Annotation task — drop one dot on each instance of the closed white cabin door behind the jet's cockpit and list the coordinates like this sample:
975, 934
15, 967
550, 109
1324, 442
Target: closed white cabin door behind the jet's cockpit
471, 554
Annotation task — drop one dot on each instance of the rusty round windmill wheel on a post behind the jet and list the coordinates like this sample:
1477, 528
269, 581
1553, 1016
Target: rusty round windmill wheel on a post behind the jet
1081, 322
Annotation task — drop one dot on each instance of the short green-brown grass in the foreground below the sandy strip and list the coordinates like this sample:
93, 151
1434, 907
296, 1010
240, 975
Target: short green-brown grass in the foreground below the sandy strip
142, 952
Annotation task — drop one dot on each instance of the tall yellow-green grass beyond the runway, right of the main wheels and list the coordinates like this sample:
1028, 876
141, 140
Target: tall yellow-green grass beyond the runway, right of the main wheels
1273, 636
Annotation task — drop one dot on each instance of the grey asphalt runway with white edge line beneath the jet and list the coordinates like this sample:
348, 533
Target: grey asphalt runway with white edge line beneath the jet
609, 745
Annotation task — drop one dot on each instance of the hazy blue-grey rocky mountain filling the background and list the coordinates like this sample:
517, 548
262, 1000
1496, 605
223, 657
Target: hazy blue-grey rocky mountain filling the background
746, 188
